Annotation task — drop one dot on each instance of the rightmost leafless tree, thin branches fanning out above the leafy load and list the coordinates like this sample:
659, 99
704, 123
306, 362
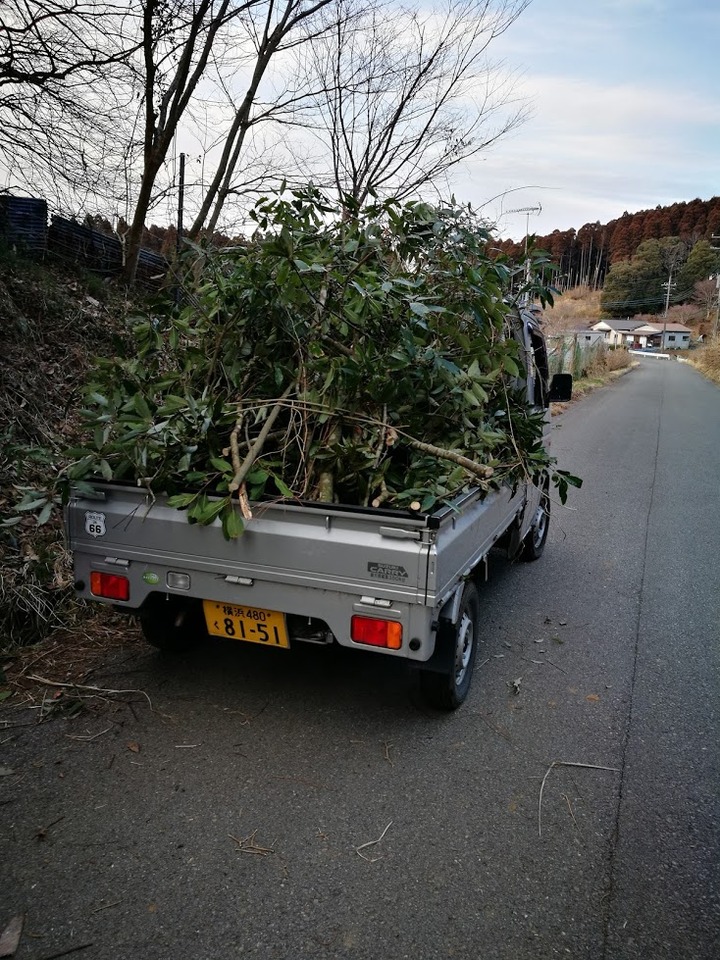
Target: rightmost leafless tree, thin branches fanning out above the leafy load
408, 93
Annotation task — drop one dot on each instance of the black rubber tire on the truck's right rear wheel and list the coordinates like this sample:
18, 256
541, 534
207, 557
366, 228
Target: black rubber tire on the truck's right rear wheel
446, 691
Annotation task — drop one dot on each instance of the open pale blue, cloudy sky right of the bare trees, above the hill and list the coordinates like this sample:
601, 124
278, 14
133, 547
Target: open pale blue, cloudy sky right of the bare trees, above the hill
625, 114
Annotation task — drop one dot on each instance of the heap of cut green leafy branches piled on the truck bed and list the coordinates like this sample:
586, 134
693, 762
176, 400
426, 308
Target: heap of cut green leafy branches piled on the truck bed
362, 356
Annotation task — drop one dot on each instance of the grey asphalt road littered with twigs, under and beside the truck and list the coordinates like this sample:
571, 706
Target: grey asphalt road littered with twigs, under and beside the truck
229, 820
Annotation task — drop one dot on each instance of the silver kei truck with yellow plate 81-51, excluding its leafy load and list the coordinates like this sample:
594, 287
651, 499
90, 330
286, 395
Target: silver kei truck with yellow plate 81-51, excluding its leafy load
389, 582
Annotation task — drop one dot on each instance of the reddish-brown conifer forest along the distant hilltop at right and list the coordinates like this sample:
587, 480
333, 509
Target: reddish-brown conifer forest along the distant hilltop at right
584, 256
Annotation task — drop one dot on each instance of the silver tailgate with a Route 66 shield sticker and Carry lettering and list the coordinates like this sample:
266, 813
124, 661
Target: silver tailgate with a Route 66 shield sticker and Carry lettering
283, 545
